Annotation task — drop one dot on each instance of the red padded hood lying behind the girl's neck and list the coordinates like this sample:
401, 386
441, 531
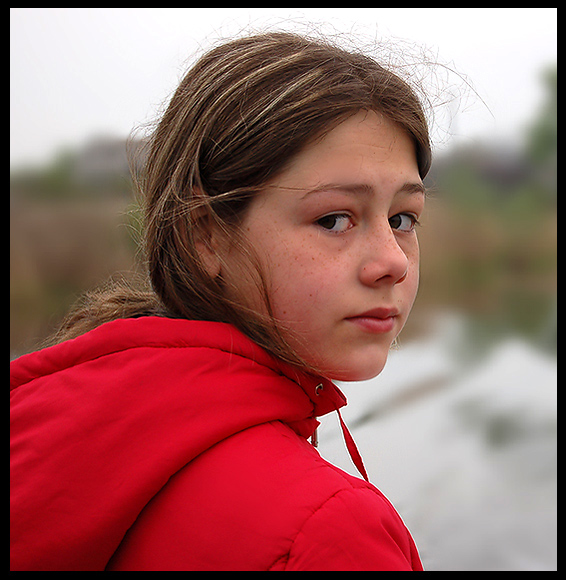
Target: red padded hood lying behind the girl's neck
100, 423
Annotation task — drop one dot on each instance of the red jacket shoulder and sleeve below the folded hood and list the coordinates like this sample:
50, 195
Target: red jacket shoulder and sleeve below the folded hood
268, 501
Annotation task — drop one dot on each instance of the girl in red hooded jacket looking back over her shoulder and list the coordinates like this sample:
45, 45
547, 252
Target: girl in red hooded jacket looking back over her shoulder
282, 188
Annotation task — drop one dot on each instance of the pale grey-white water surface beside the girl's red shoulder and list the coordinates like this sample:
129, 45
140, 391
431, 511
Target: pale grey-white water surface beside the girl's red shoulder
466, 452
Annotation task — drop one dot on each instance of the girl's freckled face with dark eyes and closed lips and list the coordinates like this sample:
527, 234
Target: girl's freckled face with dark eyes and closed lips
334, 233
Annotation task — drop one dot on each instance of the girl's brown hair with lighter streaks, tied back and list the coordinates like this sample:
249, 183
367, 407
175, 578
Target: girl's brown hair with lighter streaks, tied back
237, 118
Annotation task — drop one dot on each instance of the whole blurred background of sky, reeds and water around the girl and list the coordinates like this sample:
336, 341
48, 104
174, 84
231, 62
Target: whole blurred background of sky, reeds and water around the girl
459, 431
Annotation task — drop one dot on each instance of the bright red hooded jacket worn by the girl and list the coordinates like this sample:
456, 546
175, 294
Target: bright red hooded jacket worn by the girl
159, 444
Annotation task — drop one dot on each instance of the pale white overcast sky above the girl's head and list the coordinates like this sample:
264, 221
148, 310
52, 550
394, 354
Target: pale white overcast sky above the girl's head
76, 73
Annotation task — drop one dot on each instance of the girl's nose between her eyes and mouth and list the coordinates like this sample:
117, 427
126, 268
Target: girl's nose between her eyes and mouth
384, 260
